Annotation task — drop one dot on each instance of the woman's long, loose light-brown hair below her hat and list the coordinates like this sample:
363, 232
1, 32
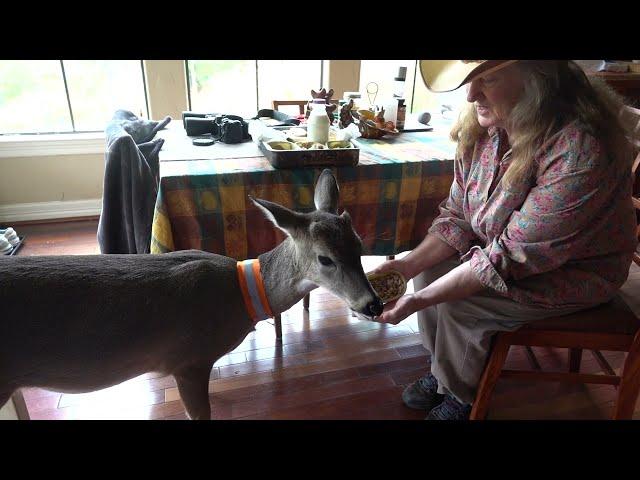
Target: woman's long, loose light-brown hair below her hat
555, 94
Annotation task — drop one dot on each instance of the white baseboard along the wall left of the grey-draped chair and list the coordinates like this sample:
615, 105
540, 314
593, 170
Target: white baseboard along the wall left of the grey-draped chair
24, 212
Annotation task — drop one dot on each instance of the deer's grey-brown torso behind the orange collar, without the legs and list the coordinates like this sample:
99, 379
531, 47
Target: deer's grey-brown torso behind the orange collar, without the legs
116, 315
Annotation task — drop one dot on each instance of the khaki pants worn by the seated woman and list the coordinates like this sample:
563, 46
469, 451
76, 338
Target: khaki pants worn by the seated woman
458, 334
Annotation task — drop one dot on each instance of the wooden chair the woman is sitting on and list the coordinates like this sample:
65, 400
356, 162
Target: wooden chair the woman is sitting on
610, 327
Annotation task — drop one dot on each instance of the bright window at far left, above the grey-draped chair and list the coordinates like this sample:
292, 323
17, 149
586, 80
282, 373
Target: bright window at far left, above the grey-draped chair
63, 96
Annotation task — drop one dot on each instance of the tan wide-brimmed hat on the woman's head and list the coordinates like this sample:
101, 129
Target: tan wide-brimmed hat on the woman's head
448, 75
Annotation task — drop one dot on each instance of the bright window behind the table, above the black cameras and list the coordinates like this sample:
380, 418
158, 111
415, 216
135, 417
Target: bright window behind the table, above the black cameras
242, 87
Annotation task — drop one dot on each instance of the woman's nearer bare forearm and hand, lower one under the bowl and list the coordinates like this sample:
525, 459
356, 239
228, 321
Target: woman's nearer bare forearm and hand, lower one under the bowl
459, 283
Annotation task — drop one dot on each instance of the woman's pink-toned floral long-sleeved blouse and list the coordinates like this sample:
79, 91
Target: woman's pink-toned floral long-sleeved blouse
566, 240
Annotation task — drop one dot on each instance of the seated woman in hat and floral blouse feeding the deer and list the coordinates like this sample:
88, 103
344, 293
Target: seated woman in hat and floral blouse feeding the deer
538, 222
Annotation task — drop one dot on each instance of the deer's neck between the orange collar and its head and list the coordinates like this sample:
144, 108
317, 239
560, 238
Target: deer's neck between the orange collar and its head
283, 276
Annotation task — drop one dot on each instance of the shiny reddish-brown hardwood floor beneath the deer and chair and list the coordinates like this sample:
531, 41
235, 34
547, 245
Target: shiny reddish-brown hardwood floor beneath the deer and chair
329, 366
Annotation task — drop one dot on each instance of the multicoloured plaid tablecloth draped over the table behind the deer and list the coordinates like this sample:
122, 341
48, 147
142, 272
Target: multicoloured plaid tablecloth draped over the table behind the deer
392, 196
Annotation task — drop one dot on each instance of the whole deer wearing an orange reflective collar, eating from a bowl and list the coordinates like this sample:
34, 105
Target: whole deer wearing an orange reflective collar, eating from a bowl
80, 323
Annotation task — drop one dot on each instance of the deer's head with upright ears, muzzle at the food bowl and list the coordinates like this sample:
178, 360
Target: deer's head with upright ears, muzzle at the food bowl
327, 249
